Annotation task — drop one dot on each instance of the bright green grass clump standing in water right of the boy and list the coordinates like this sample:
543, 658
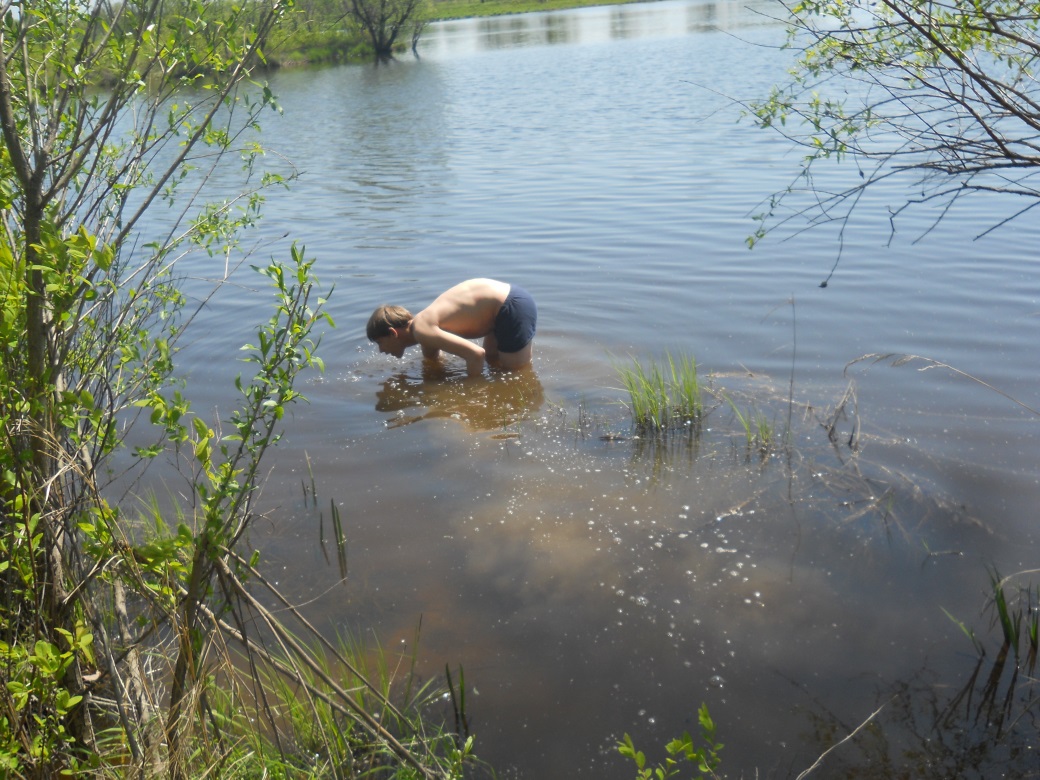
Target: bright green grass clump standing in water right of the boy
664, 399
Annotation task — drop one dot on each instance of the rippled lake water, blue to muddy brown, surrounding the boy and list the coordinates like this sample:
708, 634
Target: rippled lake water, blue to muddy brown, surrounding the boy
591, 584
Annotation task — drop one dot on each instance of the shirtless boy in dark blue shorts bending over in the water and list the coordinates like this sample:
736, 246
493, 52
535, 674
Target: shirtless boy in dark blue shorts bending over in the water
504, 316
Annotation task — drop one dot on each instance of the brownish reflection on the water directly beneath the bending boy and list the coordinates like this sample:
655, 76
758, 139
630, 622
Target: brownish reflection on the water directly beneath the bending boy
483, 404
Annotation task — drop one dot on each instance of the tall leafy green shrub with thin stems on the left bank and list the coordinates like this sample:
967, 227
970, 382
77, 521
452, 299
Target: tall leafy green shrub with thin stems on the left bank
91, 314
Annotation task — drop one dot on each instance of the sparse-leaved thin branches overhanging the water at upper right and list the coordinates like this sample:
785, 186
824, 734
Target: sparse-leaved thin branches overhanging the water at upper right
941, 94
